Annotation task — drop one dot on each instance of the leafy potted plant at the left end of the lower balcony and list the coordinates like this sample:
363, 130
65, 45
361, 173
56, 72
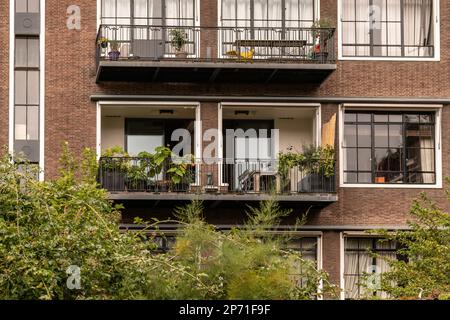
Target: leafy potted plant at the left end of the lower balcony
113, 168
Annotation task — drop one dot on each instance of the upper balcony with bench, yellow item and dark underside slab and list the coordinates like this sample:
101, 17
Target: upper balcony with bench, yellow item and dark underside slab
215, 54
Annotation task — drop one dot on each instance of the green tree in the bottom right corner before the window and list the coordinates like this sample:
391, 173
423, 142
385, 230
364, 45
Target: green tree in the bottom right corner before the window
423, 270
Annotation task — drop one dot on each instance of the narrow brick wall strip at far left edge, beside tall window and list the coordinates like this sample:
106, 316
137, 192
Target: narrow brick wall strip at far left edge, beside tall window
4, 72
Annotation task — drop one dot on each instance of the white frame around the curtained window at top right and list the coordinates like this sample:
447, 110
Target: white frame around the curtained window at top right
437, 42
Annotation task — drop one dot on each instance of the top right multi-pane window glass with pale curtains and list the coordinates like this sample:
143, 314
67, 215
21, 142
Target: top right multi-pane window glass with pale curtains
388, 28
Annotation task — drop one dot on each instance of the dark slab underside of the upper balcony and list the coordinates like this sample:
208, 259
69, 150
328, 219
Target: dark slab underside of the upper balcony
208, 72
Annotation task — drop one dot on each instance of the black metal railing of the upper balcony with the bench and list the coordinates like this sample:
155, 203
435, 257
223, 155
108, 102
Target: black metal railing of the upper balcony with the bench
216, 44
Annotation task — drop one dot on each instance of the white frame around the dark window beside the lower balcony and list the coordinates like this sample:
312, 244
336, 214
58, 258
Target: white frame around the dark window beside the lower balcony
393, 107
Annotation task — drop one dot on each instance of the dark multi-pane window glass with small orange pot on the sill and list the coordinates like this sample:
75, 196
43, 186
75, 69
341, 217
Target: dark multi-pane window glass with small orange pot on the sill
389, 147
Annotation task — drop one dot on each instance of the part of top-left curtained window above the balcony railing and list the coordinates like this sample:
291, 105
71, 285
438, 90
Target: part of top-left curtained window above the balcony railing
148, 12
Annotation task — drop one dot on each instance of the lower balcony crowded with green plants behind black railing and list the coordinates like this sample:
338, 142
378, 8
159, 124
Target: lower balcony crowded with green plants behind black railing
137, 178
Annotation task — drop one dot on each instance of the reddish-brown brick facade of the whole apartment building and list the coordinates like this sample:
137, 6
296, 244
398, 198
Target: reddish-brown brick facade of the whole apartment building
70, 115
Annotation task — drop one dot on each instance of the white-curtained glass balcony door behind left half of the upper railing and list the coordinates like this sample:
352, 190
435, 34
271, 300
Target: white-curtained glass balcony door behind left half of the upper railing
143, 26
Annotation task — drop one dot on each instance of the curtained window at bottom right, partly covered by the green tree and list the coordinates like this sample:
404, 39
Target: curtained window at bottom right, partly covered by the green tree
359, 262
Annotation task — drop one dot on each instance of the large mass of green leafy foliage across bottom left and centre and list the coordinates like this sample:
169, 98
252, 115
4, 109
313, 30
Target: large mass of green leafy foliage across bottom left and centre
46, 227
